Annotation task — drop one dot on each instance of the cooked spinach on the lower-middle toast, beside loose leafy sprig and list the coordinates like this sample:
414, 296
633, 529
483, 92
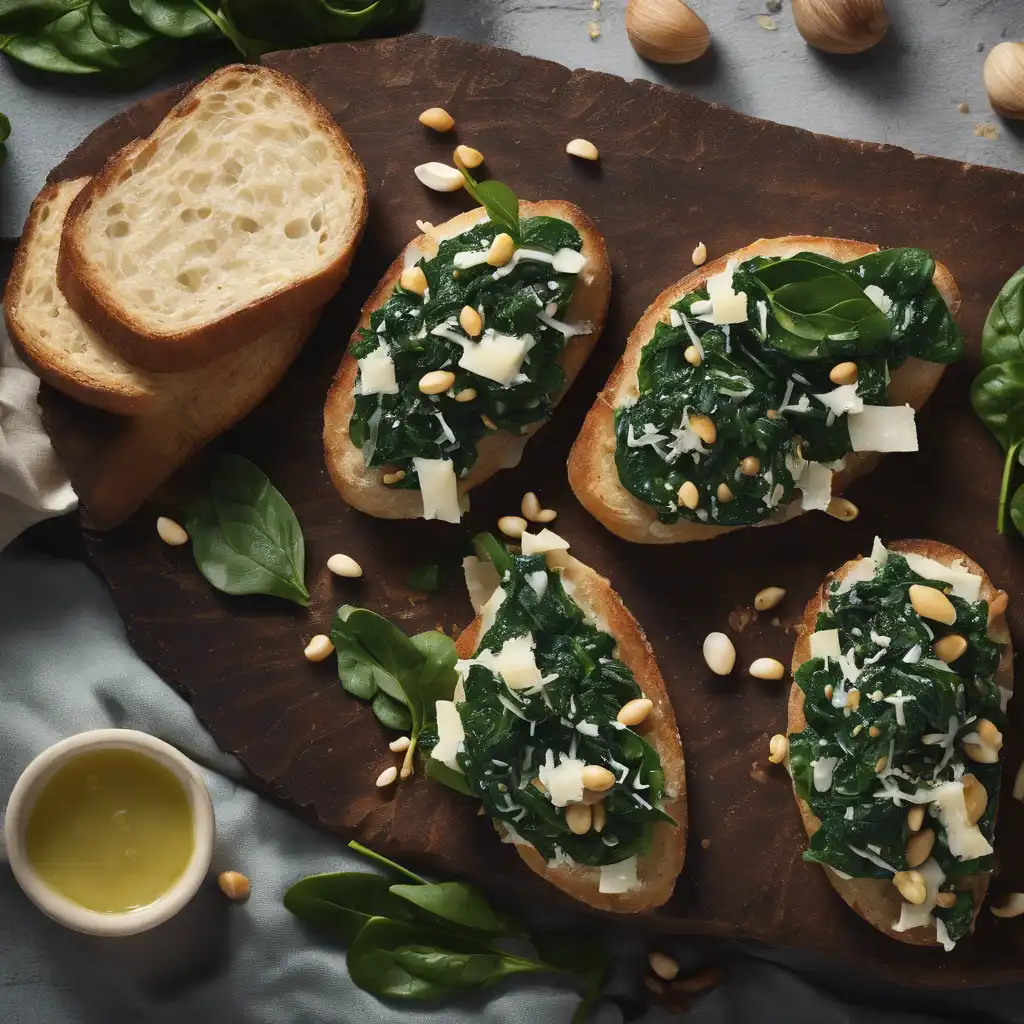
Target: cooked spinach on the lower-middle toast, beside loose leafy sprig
511, 734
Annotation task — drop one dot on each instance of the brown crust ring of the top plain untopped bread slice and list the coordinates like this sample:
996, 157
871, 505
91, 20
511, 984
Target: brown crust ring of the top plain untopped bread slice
165, 352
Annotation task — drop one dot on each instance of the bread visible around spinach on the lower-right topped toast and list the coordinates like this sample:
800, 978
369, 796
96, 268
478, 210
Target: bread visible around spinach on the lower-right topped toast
877, 901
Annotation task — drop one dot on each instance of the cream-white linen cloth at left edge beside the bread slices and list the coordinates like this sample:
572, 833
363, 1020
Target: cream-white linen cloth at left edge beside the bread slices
33, 485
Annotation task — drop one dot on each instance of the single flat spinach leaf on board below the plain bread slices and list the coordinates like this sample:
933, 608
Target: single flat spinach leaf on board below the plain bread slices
246, 538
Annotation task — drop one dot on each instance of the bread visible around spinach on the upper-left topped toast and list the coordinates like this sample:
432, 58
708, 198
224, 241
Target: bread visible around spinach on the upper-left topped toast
361, 487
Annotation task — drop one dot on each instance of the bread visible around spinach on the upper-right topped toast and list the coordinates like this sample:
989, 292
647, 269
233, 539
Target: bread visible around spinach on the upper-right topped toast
592, 462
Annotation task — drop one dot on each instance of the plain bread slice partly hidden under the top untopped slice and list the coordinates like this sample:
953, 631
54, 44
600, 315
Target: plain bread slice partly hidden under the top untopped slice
61, 348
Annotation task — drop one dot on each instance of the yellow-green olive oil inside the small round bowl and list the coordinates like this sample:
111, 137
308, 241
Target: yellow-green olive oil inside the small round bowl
111, 831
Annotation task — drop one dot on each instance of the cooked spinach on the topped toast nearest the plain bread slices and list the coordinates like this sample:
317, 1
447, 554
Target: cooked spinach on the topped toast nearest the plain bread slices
393, 430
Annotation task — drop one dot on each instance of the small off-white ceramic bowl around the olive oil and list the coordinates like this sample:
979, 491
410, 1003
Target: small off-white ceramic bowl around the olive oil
67, 912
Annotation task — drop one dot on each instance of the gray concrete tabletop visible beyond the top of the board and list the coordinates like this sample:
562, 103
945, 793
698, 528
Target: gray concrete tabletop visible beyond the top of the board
906, 92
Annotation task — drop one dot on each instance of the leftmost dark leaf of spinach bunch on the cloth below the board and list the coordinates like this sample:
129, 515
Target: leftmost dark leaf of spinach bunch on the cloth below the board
345, 902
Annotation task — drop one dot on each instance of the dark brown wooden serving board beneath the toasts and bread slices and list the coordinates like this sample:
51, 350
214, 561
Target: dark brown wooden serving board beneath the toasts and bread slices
673, 172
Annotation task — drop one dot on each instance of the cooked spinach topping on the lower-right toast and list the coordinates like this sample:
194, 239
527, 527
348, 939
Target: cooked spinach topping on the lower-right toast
881, 751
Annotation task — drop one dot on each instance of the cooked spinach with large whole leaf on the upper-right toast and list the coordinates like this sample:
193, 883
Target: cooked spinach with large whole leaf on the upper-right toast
758, 380
